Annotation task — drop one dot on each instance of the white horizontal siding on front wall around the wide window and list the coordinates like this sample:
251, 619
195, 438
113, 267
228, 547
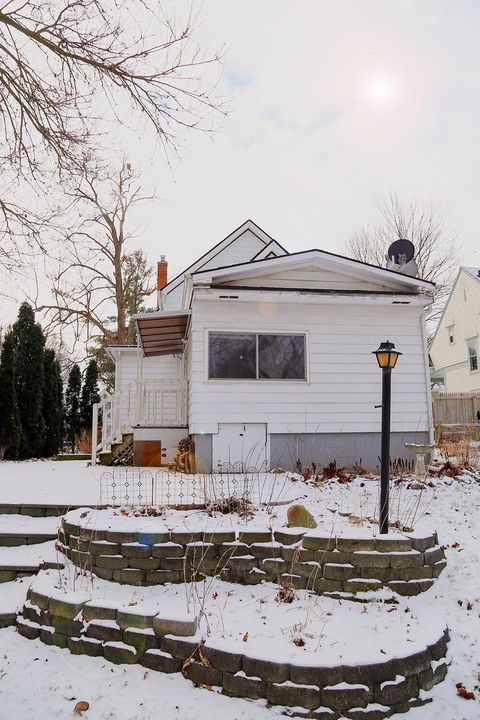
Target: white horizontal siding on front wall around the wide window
344, 382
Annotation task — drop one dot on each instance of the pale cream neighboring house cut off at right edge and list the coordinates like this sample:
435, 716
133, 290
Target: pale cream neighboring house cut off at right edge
455, 346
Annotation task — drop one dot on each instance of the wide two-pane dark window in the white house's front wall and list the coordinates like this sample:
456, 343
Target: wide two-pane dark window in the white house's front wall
256, 356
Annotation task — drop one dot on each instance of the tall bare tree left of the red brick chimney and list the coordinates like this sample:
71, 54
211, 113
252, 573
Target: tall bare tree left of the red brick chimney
101, 281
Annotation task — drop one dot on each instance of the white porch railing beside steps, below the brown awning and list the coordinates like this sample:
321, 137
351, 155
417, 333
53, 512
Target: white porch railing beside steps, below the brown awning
145, 403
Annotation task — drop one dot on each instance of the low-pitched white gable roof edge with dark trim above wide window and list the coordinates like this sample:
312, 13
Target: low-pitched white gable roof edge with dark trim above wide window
315, 257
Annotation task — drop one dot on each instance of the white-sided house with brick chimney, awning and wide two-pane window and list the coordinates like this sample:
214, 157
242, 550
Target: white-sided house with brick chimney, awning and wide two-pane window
265, 359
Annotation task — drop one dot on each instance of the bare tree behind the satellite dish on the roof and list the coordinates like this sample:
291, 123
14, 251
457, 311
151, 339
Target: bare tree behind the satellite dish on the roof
436, 252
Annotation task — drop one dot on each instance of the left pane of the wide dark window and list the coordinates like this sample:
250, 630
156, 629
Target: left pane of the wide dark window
231, 356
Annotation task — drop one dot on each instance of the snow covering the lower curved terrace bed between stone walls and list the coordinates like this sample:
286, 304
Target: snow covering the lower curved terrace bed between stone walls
332, 632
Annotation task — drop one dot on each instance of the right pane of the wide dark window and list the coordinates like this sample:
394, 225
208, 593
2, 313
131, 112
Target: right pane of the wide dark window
281, 357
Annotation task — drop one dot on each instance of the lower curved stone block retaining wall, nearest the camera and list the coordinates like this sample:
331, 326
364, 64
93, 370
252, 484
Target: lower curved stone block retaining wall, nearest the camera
371, 691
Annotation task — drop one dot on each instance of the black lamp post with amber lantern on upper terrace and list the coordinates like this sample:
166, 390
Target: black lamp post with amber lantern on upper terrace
387, 358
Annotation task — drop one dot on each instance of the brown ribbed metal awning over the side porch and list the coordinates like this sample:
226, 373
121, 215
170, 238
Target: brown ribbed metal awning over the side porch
162, 333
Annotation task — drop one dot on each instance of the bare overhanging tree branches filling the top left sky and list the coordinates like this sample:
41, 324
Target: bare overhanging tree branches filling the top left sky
68, 68
